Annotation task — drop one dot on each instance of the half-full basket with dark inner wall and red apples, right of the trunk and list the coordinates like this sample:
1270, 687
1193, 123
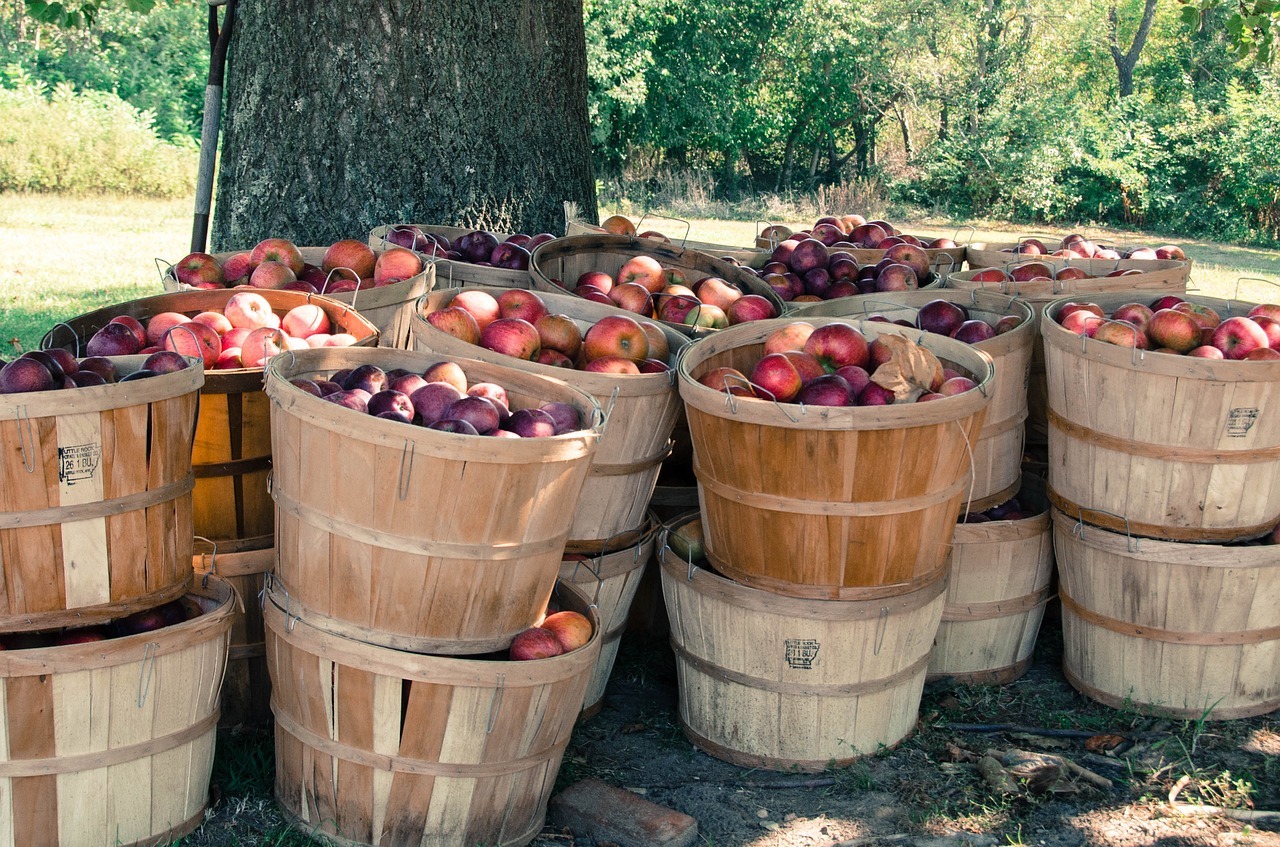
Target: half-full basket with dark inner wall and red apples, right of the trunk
688, 290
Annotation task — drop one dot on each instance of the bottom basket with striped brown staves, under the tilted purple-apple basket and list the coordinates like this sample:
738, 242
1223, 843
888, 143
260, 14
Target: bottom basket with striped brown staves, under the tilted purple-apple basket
377, 747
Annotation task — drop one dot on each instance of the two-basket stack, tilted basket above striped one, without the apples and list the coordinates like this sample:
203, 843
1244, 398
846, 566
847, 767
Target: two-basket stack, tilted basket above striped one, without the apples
409, 561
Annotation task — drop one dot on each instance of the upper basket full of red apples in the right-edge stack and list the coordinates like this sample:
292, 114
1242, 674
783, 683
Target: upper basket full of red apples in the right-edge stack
1160, 414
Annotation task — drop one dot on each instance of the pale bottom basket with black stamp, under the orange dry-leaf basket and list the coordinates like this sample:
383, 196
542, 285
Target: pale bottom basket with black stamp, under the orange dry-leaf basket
788, 684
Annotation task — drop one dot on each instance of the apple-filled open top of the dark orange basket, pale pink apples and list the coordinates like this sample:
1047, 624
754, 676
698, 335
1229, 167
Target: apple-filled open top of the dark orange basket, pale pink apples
231, 331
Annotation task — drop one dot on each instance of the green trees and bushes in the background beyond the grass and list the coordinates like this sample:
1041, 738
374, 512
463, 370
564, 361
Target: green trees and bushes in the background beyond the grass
990, 109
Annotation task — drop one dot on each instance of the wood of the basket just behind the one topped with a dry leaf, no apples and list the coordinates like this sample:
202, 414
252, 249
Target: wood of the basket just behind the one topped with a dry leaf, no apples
998, 456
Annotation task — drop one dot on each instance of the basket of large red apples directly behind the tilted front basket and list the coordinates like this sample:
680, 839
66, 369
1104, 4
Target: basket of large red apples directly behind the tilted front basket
624, 361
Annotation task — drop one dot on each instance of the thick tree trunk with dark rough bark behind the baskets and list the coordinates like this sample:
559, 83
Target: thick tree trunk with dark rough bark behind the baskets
341, 118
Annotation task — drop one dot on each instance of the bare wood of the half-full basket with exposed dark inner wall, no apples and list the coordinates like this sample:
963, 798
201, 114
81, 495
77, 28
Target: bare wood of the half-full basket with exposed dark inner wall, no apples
568, 259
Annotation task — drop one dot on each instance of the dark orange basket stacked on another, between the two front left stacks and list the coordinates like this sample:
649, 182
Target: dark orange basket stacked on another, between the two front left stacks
232, 515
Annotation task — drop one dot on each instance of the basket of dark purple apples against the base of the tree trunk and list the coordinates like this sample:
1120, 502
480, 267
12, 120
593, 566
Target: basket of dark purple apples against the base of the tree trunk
467, 257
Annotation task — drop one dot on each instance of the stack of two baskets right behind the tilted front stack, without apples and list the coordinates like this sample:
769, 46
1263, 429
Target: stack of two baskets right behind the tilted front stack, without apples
611, 532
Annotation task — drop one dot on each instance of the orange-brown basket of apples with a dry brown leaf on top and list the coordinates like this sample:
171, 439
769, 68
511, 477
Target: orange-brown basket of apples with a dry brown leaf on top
858, 439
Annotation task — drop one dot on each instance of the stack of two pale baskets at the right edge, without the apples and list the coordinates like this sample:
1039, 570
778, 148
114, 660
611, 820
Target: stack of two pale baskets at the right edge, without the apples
1165, 478
